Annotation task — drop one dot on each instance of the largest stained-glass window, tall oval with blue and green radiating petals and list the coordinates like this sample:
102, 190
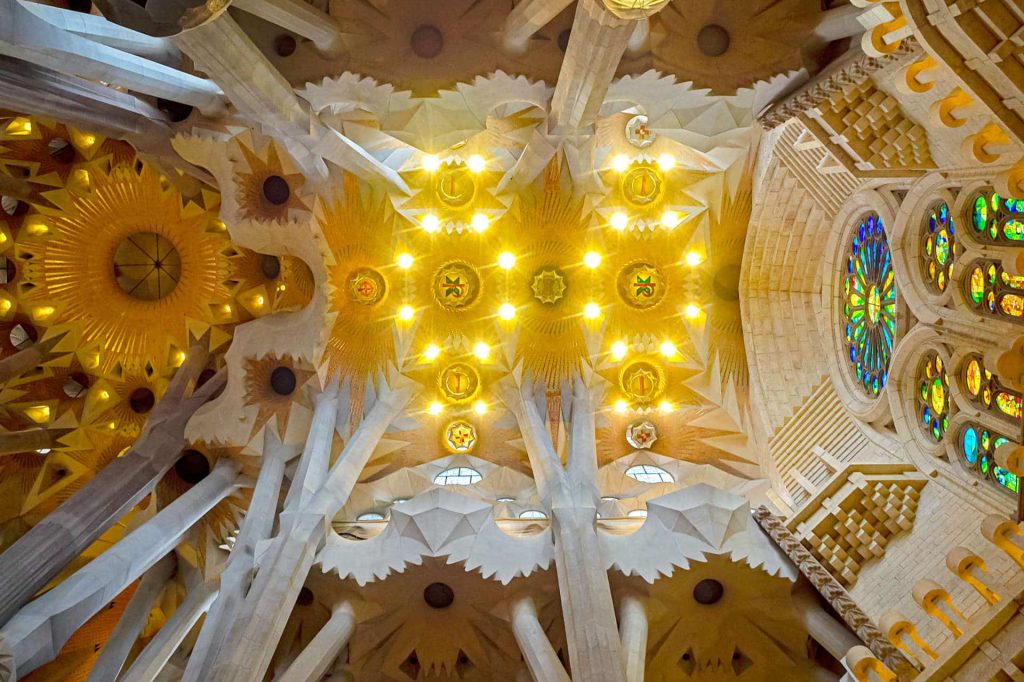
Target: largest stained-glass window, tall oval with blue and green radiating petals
871, 305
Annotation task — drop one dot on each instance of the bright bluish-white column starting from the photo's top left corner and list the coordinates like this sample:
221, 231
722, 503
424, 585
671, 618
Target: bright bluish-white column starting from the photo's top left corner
25, 36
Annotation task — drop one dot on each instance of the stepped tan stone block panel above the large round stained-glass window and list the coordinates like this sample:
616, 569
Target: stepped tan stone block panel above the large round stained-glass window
875, 130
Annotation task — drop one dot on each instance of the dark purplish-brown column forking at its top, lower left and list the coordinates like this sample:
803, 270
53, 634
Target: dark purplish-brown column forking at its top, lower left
41, 553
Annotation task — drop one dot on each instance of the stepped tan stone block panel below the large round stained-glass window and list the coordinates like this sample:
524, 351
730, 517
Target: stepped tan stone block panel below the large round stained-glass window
857, 522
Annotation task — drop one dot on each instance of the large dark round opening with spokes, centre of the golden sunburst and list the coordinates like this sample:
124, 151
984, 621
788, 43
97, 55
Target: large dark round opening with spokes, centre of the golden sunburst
147, 267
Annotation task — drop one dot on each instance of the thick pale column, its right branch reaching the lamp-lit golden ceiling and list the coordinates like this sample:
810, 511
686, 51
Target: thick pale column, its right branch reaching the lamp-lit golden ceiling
251, 644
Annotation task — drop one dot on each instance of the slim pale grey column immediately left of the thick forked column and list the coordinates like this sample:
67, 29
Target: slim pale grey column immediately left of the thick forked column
237, 575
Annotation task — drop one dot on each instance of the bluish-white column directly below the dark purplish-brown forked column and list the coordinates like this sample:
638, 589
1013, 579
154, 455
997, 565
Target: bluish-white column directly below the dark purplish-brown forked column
38, 631
